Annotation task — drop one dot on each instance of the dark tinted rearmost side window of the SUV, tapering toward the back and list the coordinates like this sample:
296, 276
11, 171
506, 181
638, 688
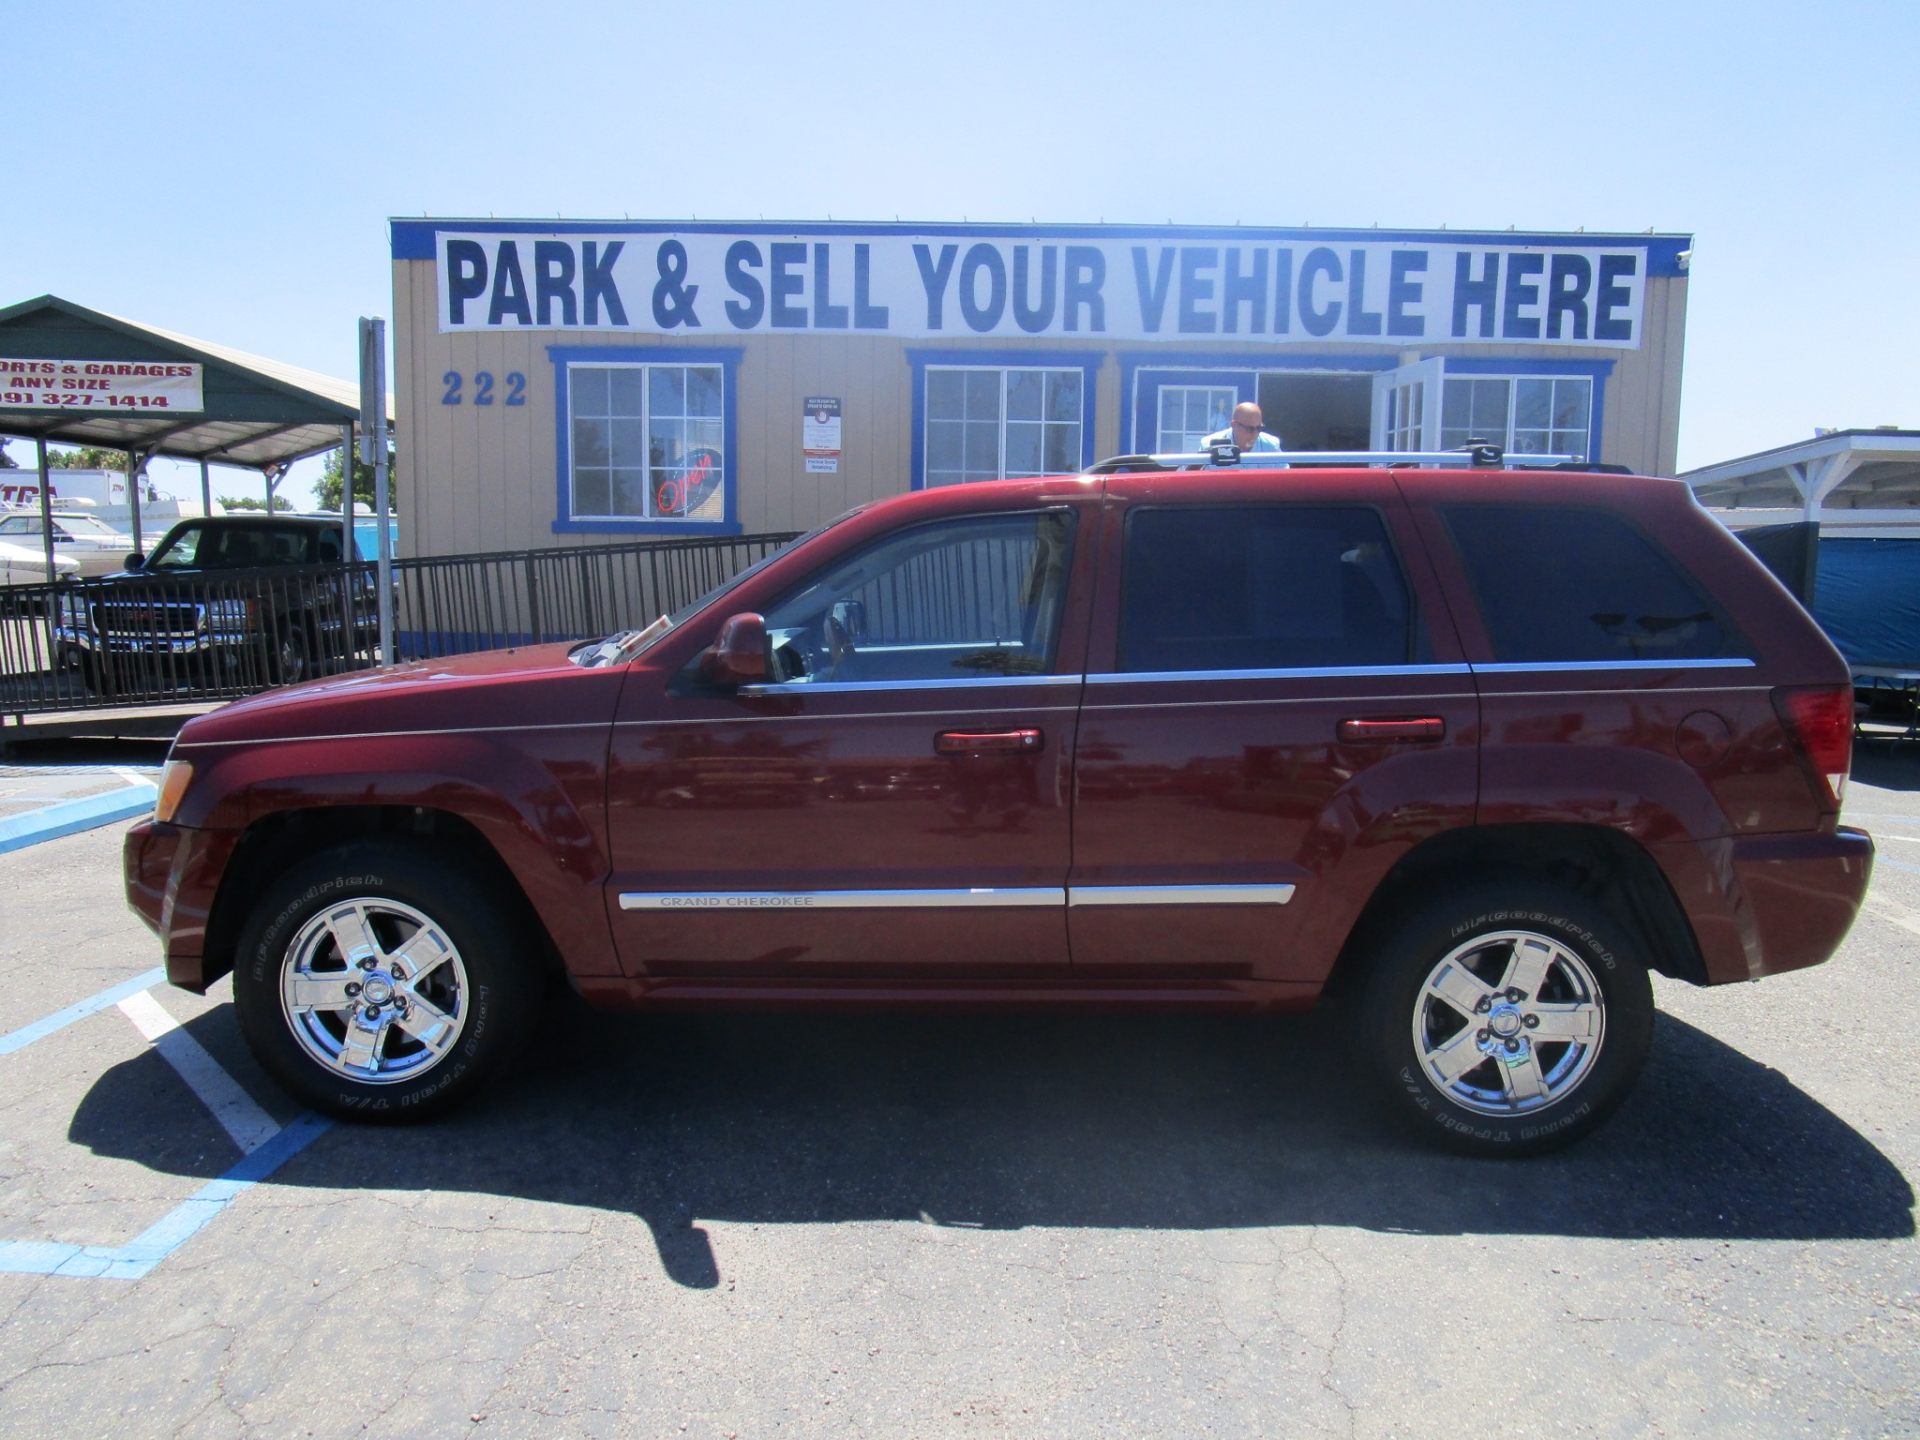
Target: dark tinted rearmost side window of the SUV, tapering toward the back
1562, 585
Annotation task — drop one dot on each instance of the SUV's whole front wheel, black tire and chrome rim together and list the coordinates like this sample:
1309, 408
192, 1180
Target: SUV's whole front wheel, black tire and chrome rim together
479, 972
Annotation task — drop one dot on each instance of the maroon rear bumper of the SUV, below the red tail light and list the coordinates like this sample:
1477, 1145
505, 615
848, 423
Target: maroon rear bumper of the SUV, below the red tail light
1769, 903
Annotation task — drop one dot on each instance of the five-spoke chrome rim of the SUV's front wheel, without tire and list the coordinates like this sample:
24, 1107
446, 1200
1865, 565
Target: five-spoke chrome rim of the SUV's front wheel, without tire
373, 990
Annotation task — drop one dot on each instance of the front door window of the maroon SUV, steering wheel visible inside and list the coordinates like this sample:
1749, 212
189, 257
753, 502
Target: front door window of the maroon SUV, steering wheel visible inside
953, 600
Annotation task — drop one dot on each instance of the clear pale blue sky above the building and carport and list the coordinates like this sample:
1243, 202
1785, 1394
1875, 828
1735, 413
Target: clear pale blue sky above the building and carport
228, 170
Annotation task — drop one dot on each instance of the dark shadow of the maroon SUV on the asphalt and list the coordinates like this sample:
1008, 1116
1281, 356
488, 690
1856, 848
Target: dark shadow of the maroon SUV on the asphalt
1061, 1120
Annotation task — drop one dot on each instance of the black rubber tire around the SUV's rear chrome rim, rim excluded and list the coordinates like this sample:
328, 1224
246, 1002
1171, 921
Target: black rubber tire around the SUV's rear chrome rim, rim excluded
1435, 930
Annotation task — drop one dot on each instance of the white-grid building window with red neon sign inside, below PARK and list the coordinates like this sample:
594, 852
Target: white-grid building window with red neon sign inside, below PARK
648, 443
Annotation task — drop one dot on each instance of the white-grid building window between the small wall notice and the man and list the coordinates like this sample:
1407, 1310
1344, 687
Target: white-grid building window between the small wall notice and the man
1001, 423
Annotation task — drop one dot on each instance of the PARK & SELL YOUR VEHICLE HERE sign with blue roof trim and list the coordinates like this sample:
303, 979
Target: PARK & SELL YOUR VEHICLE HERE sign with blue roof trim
1274, 287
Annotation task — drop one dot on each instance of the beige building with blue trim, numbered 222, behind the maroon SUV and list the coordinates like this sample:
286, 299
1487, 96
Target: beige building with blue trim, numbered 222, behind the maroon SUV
587, 381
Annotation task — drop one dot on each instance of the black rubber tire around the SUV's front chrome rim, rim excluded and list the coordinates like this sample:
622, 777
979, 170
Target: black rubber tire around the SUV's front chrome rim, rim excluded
498, 967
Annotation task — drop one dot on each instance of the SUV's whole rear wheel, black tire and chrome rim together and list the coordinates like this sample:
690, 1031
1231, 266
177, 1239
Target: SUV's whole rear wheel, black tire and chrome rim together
1418, 1038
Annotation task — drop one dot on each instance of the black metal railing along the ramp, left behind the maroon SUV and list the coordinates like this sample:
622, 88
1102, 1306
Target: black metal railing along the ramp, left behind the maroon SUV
158, 640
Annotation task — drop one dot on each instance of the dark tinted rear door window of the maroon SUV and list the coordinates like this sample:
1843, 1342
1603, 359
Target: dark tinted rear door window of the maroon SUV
1262, 588
